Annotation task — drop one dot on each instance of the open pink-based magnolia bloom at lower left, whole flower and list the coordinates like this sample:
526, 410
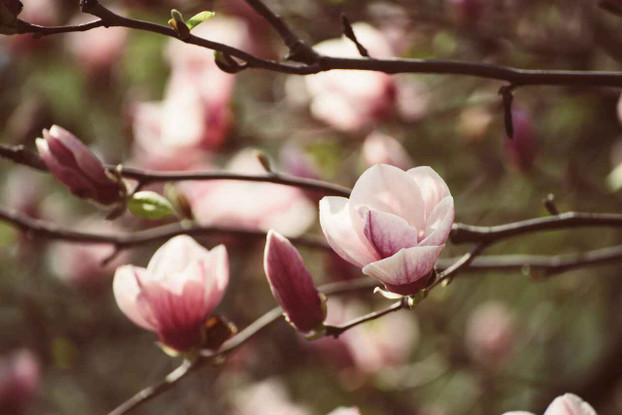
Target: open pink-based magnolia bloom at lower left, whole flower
177, 291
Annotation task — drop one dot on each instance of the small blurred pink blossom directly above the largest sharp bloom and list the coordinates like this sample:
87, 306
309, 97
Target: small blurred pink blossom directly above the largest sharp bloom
380, 148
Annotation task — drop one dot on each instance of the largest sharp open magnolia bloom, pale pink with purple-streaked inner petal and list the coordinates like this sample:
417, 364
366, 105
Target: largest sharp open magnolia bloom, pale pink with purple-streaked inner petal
394, 225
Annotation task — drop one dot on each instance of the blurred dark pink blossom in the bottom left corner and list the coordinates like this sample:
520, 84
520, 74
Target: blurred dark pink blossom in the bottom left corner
19, 377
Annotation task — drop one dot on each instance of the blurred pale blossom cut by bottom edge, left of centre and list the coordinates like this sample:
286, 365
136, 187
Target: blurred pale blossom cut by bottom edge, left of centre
268, 397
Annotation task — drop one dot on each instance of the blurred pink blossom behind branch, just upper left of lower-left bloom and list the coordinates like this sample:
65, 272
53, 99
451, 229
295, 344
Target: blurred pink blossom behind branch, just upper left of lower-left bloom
81, 264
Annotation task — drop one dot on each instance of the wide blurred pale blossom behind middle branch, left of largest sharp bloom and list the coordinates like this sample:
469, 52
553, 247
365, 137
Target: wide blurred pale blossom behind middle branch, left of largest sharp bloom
249, 205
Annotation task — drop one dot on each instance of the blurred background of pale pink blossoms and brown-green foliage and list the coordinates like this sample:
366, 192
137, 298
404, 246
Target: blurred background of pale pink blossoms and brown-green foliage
488, 343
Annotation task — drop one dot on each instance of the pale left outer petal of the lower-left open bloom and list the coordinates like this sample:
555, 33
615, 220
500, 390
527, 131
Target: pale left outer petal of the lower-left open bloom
126, 290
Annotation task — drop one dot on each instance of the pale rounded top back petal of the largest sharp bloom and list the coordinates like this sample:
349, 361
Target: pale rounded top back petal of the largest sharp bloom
391, 190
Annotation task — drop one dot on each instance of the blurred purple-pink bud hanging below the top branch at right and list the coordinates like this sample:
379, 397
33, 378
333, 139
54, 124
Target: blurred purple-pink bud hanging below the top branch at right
521, 146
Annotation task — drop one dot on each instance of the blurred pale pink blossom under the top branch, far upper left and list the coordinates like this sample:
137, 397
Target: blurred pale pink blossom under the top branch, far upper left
96, 50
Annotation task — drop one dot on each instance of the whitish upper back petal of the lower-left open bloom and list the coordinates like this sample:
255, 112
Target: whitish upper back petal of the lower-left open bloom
175, 256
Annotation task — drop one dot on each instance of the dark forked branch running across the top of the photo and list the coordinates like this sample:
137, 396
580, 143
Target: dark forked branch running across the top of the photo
315, 62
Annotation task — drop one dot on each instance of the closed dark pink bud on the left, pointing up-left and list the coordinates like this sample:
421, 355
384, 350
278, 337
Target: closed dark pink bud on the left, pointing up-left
71, 162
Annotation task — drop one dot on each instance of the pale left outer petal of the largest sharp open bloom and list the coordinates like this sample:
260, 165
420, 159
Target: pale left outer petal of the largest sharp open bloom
340, 233
